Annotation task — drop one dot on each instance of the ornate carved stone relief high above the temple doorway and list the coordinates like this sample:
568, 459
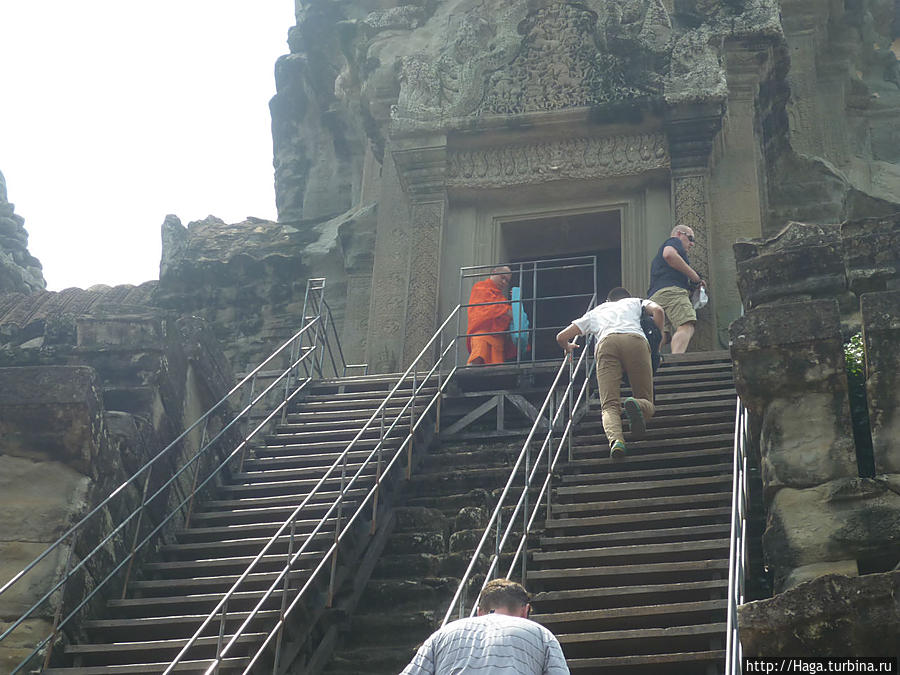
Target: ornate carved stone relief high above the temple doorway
505, 59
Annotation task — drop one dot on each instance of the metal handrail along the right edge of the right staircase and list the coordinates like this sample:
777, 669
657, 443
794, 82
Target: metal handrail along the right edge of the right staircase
737, 563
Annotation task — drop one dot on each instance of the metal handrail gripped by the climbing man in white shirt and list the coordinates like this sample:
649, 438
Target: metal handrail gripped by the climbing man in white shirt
566, 407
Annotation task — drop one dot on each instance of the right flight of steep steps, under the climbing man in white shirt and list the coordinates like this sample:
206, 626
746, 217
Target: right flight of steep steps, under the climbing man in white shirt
632, 570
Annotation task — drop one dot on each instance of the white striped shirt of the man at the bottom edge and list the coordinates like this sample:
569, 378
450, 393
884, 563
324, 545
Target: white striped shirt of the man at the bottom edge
493, 644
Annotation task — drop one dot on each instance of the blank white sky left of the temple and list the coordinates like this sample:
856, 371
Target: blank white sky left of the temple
114, 113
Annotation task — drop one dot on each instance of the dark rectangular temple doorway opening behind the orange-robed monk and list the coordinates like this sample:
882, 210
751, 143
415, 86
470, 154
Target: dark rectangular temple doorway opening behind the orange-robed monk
560, 262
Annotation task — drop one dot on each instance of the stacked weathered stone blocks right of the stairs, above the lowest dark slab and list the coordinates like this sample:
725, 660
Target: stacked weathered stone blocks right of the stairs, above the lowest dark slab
806, 291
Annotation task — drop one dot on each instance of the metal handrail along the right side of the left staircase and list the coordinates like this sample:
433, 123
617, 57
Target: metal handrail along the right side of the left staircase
413, 413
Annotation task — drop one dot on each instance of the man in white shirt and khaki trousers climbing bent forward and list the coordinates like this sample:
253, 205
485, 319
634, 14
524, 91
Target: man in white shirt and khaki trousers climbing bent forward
621, 345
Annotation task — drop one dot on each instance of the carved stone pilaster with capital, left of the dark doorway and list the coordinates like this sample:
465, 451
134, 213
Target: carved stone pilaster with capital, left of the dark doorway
422, 165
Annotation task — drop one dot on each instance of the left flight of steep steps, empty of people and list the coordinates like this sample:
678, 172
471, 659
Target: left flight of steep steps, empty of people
171, 594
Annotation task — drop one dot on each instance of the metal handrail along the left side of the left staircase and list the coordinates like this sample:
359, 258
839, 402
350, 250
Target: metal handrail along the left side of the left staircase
299, 355
